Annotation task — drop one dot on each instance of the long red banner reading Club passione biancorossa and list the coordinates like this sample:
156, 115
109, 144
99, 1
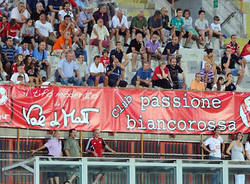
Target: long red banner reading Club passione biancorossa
123, 110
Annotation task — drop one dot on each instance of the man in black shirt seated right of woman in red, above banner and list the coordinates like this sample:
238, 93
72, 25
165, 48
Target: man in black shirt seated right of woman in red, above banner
174, 70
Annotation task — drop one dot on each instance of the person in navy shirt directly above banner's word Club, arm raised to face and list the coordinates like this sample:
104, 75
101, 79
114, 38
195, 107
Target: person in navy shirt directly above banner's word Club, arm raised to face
114, 74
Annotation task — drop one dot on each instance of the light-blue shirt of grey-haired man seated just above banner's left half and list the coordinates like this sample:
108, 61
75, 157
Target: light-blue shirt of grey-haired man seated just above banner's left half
67, 68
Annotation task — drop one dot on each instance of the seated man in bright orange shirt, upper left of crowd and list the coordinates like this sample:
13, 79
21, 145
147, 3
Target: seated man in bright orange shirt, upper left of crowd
63, 43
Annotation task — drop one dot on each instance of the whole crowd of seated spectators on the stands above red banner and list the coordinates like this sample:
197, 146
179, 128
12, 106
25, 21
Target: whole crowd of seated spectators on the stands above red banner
33, 30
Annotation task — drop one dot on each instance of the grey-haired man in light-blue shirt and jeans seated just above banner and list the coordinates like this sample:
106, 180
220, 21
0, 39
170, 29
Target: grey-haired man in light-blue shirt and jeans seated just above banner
67, 68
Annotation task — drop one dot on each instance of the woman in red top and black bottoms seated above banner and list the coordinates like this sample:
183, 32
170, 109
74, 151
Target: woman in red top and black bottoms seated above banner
161, 77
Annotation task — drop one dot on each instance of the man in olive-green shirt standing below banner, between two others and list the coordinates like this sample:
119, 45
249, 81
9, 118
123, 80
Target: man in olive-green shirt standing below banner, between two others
72, 149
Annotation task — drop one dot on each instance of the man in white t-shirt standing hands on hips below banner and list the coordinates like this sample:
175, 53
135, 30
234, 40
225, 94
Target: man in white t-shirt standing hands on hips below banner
214, 142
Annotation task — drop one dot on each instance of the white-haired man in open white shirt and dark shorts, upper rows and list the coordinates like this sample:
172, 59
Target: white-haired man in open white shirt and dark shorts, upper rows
120, 26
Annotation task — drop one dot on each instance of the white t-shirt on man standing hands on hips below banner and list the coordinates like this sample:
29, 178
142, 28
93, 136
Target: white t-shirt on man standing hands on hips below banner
214, 144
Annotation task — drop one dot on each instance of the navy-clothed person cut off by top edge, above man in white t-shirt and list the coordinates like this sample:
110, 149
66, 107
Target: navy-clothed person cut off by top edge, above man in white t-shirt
54, 6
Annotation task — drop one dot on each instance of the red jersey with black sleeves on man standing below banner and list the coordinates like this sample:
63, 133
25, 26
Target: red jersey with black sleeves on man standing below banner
96, 145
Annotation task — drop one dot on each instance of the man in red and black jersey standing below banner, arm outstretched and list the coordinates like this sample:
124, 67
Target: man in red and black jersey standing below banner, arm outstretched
95, 148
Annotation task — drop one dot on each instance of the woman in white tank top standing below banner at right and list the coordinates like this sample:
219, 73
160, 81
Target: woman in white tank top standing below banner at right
236, 150
